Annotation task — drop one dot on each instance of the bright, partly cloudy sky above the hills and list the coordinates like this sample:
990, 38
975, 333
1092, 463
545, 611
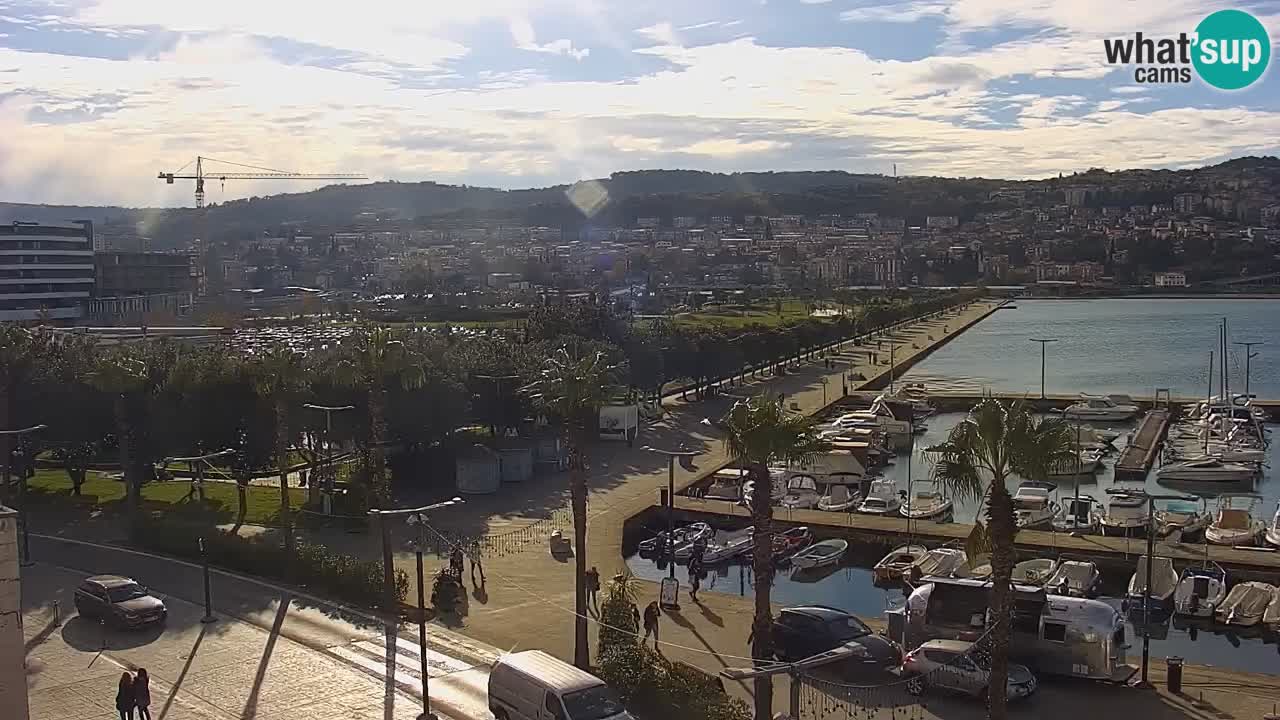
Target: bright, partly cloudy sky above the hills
98, 97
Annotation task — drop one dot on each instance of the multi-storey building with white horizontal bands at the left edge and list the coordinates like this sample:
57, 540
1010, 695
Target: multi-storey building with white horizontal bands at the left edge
45, 271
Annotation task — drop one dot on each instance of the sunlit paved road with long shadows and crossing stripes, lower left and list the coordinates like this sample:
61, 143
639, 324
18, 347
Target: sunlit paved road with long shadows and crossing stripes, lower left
271, 654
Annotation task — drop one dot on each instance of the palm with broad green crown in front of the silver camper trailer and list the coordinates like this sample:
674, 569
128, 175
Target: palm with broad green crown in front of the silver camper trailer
995, 443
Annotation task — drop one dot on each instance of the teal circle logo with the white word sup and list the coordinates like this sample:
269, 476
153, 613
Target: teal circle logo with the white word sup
1232, 49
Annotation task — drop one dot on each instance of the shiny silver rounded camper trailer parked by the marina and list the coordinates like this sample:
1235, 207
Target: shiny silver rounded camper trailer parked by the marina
1058, 636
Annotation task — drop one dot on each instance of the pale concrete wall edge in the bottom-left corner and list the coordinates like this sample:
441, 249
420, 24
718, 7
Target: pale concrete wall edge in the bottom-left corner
13, 662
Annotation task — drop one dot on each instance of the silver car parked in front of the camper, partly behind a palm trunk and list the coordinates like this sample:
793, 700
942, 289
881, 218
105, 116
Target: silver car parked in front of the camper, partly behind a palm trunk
950, 666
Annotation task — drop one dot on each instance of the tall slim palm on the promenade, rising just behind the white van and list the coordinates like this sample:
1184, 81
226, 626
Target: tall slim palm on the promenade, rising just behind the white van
572, 386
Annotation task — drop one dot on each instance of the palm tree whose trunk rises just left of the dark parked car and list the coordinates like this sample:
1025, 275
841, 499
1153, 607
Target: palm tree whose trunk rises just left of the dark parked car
761, 432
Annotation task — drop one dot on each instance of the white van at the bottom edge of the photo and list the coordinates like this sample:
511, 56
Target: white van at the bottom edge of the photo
534, 686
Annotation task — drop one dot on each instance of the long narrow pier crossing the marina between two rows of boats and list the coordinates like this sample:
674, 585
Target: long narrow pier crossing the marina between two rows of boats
1119, 554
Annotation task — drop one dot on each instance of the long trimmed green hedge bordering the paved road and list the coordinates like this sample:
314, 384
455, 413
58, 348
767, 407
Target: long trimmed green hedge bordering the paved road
313, 566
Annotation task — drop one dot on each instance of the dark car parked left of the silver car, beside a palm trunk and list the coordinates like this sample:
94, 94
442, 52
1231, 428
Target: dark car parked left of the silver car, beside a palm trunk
813, 630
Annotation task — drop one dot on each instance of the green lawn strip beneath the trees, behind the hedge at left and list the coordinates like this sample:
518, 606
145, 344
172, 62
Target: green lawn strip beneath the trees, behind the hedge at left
263, 505
